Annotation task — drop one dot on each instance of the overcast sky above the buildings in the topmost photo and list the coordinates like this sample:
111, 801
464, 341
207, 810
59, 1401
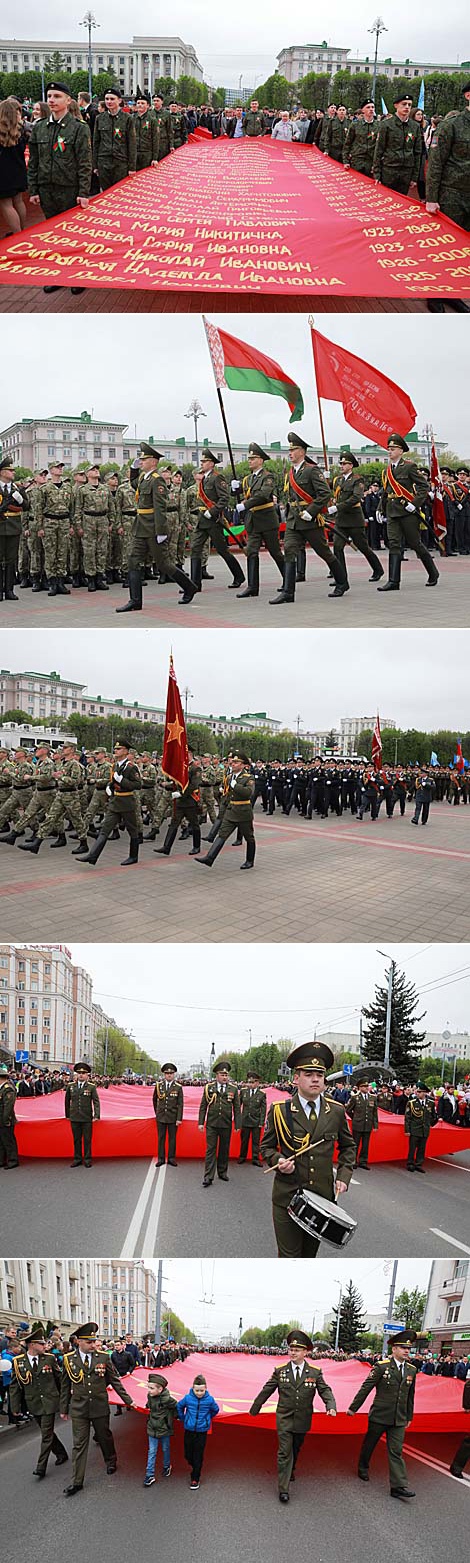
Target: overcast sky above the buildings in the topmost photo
246, 40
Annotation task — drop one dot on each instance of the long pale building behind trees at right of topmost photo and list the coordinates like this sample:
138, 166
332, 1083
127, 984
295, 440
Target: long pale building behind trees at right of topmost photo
302, 60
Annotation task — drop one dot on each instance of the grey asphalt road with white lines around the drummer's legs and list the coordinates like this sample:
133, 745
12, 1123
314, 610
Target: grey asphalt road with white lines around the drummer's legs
132, 1209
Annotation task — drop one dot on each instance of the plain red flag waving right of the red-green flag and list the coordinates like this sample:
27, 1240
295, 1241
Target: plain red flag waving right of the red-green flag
371, 401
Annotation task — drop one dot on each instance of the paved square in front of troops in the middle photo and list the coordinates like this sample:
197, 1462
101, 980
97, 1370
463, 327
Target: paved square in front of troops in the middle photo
329, 881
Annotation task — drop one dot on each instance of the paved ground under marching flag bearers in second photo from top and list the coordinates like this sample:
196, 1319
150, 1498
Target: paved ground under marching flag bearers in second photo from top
218, 607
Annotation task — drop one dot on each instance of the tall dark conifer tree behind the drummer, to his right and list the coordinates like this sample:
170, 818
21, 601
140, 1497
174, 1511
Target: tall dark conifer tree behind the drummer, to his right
407, 1042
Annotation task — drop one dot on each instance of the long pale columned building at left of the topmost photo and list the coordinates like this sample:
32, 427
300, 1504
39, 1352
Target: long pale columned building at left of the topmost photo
137, 63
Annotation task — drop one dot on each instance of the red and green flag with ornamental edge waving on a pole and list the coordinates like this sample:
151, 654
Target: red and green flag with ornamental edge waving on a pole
243, 368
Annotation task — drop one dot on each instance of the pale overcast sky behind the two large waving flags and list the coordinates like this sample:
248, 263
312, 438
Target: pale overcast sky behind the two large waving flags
151, 382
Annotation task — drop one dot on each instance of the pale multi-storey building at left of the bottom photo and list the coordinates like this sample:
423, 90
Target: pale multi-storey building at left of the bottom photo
119, 1295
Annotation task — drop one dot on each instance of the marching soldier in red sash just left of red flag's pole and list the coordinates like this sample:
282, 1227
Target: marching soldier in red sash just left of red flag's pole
308, 495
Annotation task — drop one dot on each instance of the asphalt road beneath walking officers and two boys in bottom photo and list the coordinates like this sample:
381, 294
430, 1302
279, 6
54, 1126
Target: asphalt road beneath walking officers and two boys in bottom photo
237, 1504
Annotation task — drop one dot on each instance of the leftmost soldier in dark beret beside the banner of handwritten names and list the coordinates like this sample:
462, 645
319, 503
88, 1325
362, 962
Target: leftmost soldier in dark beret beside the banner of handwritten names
60, 168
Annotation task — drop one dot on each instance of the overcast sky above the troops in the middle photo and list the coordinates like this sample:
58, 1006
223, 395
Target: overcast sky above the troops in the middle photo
418, 678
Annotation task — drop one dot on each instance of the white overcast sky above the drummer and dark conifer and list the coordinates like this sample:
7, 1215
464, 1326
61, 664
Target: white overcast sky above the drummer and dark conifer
180, 1001
